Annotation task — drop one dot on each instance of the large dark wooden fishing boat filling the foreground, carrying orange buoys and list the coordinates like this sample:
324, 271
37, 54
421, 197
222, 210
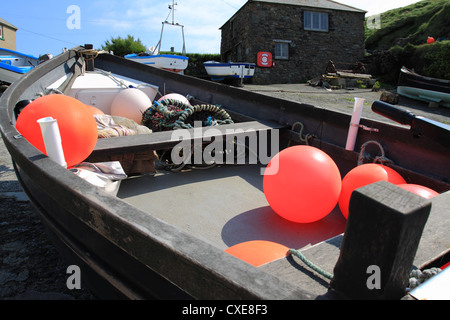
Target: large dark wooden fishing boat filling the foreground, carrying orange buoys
166, 235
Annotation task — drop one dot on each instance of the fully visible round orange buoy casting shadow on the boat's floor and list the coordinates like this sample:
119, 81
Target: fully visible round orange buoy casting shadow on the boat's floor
306, 186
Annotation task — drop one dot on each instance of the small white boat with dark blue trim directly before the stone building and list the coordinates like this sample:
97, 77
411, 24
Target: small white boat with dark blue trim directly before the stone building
220, 70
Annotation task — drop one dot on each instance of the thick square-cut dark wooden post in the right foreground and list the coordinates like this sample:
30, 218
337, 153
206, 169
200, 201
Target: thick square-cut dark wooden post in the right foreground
382, 234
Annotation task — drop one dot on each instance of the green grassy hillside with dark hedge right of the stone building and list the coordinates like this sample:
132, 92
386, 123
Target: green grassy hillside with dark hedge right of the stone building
401, 41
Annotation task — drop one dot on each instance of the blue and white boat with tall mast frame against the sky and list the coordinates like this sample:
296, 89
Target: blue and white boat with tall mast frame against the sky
170, 62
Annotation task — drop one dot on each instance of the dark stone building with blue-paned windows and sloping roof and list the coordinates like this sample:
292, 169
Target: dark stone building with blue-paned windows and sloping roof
302, 36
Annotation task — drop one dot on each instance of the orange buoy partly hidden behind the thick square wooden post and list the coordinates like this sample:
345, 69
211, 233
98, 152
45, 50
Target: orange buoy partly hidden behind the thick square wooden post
363, 175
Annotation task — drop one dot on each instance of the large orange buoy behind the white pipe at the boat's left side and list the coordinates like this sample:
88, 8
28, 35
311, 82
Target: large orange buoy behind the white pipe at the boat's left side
77, 126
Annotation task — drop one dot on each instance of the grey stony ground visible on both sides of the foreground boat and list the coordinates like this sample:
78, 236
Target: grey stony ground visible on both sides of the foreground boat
32, 269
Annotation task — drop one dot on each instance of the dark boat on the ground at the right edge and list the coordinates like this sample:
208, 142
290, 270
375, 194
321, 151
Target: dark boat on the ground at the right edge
427, 89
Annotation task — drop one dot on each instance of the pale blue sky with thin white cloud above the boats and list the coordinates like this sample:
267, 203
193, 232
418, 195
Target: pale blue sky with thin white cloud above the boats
42, 25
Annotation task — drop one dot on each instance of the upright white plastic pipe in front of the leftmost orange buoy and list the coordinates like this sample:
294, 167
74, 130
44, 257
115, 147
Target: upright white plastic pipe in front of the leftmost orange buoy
52, 140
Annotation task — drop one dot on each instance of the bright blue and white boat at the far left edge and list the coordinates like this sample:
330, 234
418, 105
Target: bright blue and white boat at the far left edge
14, 64
